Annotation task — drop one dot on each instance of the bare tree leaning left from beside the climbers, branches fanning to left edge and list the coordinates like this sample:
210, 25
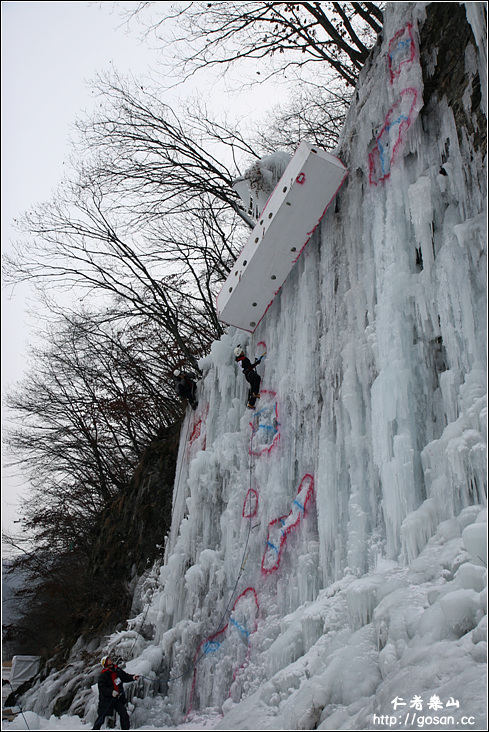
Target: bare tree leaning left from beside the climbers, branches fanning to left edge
75, 246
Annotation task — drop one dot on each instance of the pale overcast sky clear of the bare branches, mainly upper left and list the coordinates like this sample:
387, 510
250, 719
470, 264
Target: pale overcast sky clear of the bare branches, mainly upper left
50, 51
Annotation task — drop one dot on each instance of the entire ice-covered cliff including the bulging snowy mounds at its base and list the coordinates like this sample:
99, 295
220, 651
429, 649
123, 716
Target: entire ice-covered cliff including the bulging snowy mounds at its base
326, 563
